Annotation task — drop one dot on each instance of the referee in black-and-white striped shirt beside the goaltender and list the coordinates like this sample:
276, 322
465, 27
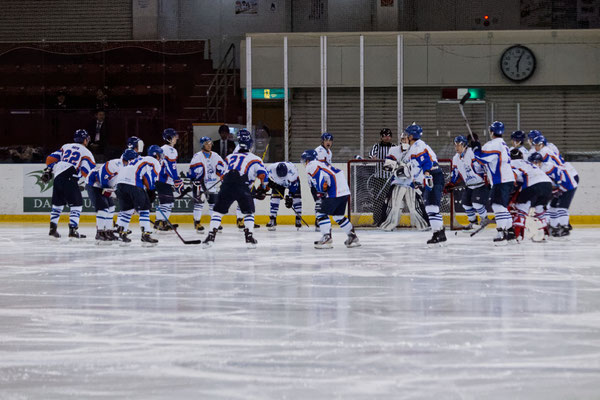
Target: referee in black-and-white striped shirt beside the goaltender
379, 151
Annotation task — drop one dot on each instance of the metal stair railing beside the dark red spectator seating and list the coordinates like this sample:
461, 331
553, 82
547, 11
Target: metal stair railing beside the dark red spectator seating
217, 92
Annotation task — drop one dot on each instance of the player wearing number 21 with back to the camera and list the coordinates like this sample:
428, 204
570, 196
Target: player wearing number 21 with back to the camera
242, 169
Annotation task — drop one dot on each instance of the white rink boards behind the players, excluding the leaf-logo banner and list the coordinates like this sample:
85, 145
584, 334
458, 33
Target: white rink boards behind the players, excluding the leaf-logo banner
15, 185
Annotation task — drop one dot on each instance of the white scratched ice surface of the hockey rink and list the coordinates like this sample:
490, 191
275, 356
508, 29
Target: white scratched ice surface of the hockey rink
392, 319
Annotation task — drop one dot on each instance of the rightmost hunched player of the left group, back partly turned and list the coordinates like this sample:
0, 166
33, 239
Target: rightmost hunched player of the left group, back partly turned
138, 176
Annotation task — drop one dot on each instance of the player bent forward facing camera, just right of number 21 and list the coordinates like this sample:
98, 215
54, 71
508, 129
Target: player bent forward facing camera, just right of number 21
282, 176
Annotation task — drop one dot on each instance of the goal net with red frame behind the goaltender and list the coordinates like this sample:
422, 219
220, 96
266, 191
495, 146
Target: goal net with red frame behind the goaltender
370, 189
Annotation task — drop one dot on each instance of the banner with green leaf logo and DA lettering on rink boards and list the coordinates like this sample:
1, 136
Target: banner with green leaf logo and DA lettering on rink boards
37, 195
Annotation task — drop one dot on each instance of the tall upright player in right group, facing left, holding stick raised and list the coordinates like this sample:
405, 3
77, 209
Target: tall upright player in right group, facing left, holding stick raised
496, 158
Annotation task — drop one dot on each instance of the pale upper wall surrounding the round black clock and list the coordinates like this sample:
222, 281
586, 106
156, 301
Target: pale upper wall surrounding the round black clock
467, 59
